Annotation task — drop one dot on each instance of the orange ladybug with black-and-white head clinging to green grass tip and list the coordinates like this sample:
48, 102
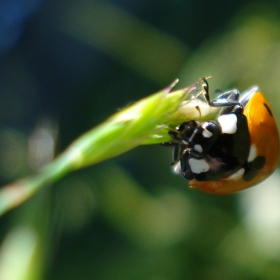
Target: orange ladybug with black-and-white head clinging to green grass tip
233, 152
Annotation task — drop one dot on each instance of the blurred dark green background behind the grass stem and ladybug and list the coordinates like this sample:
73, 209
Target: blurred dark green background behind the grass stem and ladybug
67, 65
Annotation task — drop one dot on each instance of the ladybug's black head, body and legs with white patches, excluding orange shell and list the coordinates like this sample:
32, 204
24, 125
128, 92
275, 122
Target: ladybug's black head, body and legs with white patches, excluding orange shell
214, 149
